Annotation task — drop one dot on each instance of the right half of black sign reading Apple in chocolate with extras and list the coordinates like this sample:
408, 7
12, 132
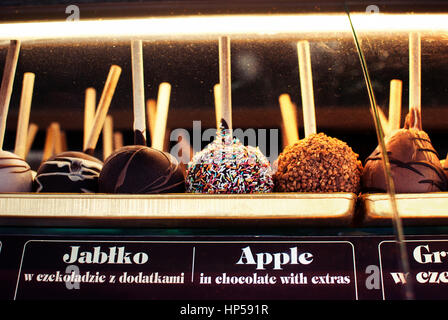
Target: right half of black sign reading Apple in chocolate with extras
277, 270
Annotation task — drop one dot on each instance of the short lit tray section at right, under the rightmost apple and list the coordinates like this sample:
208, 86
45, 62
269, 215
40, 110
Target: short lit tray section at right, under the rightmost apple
413, 208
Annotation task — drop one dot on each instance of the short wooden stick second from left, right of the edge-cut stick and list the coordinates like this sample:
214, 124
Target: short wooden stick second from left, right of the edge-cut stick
24, 114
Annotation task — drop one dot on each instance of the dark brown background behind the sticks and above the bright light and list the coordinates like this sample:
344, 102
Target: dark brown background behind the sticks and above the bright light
261, 71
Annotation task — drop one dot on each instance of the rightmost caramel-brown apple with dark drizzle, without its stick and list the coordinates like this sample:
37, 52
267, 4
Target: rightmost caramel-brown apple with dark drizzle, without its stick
414, 164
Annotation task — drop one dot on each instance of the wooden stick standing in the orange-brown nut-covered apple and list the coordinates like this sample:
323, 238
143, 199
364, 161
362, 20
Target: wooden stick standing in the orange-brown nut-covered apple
306, 87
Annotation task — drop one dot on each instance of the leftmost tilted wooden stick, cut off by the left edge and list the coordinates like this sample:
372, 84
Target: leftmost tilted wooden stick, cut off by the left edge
7, 83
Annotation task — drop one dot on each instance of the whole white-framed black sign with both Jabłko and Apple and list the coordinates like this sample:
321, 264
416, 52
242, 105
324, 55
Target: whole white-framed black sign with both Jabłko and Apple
76, 269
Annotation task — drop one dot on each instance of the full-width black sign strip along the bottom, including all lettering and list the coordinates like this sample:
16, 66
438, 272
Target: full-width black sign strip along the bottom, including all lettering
237, 267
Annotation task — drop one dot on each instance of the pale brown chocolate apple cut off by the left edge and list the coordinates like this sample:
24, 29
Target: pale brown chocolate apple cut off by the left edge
15, 173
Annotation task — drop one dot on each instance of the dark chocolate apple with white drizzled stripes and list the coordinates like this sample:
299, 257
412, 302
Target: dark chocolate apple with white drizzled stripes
69, 172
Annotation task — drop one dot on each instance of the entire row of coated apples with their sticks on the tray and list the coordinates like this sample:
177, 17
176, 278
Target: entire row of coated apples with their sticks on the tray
317, 163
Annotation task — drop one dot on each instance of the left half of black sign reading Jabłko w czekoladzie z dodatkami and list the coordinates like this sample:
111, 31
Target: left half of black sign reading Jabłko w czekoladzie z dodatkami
102, 270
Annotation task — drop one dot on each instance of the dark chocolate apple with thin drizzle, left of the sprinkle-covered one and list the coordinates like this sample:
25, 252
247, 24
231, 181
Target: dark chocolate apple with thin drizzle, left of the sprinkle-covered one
139, 169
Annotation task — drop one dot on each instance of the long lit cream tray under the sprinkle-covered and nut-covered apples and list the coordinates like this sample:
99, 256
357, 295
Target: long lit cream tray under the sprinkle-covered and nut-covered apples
177, 210
